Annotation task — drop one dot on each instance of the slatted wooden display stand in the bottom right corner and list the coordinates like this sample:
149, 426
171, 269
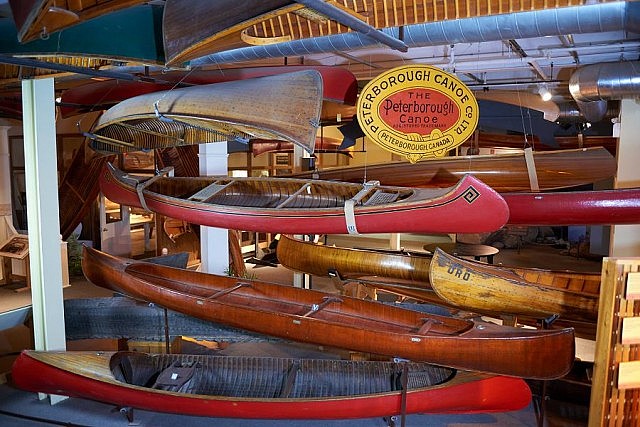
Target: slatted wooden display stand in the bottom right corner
615, 389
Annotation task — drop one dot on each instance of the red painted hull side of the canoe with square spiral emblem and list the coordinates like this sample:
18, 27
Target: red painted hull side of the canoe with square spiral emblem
469, 207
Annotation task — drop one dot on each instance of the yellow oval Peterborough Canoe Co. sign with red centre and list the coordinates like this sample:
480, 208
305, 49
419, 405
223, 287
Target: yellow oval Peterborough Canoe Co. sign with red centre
417, 111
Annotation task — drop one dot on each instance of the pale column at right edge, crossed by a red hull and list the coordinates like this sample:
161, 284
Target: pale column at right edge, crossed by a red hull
625, 239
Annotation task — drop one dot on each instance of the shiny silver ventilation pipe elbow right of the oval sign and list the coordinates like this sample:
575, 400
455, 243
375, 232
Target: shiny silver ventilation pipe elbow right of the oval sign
593, 85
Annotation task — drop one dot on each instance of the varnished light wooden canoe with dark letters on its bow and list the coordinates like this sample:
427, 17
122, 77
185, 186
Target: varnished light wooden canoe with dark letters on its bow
488, 288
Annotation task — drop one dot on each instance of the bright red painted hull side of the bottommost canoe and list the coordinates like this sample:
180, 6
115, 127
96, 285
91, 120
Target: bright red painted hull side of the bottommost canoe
482, 394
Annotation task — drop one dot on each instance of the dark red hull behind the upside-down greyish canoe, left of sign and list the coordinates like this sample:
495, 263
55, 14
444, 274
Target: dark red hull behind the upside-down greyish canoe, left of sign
339, 85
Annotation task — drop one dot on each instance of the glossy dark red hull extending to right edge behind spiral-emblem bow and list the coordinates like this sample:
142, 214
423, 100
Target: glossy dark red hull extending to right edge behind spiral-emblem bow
621, 206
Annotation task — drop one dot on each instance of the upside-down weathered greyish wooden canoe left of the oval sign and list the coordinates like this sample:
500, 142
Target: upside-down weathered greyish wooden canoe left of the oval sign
283, 107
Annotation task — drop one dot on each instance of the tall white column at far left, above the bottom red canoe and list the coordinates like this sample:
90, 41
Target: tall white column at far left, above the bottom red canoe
42, 217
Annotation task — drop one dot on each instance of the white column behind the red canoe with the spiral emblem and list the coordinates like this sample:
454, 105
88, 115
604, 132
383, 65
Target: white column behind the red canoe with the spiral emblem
214, 242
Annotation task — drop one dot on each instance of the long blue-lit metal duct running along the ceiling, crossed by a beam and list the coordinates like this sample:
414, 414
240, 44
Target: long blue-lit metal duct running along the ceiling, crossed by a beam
593, 18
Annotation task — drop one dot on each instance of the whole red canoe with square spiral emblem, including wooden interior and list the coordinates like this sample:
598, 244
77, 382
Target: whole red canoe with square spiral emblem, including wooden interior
411, 212
